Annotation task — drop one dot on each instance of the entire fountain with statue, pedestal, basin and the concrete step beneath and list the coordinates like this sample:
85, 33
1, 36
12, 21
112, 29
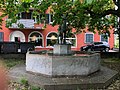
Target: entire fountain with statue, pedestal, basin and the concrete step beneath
63, 69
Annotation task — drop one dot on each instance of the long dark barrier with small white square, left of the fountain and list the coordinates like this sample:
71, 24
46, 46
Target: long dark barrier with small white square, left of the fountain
16, 47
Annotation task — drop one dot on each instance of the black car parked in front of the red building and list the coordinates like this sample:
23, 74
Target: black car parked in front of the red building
96, 46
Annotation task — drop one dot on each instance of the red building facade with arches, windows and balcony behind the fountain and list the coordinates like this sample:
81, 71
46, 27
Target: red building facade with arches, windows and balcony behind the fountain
45, 38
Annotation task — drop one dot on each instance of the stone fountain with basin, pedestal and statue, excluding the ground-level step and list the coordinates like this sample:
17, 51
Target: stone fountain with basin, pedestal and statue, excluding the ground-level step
63, 62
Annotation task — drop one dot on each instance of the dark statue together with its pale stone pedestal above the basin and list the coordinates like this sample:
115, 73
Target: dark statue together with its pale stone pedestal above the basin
62, 48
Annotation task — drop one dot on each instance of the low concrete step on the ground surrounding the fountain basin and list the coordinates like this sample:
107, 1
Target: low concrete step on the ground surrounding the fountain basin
94, 81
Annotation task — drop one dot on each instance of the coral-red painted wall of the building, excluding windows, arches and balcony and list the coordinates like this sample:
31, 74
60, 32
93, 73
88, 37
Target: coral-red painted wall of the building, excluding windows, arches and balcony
80, 37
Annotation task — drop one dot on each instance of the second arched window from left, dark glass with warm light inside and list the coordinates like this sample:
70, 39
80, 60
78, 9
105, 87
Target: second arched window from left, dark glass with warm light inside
37, 38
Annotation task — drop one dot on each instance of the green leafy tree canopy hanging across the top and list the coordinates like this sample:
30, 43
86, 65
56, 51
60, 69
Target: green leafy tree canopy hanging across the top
96, 14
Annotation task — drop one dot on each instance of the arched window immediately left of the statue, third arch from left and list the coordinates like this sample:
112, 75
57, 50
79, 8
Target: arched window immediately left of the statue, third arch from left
52, 39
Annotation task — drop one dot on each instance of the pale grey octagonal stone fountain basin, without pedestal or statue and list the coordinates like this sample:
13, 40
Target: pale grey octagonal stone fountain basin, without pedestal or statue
62, 65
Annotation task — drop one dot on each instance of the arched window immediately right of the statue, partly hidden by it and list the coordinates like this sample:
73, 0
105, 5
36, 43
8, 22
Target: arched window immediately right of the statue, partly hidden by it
71, 39
